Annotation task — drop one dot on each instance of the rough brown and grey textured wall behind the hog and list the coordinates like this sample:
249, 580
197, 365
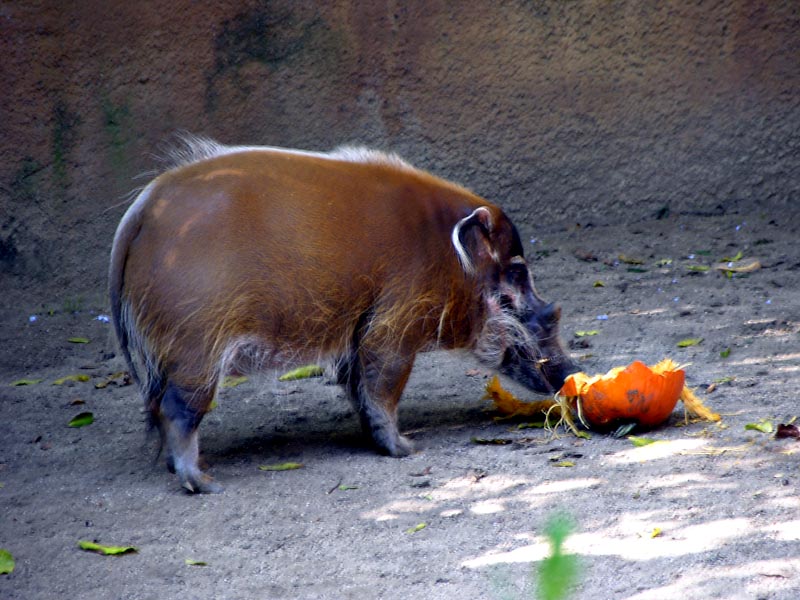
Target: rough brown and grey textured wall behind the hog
562, 112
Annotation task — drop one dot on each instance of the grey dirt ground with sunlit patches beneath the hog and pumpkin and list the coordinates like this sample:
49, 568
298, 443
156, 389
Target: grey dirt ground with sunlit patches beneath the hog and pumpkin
724, 498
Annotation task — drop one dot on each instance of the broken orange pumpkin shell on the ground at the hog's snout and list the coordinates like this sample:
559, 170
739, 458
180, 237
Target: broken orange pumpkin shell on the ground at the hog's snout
636, 393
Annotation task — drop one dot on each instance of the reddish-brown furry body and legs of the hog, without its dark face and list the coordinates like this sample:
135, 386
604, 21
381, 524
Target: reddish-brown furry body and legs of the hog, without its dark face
262, 257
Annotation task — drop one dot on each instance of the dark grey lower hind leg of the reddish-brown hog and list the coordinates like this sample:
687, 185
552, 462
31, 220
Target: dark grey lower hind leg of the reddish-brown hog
178, 418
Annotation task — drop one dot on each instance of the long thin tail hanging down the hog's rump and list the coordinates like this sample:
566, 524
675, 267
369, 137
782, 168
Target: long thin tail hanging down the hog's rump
141, 362
